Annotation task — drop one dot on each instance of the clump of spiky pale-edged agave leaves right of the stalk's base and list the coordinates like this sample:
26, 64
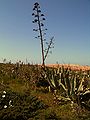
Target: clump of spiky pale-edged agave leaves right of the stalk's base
72, 82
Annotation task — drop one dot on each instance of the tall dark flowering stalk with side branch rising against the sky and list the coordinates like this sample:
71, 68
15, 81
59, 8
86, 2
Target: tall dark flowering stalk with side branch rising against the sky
39, 18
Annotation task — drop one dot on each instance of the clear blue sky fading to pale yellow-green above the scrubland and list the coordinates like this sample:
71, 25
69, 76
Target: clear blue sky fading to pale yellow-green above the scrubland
67, 20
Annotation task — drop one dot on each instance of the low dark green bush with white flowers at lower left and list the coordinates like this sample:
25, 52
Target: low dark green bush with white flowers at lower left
22, 106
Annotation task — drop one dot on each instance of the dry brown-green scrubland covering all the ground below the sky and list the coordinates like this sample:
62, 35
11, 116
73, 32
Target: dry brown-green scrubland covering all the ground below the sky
33, 92
